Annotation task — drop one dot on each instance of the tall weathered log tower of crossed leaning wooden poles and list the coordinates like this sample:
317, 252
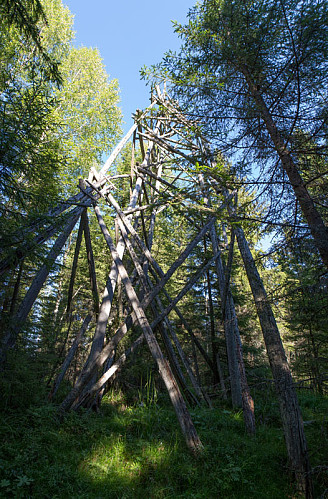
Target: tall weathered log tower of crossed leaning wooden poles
172, 148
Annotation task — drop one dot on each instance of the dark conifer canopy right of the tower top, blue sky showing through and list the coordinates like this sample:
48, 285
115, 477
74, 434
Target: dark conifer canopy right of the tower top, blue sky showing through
255, 74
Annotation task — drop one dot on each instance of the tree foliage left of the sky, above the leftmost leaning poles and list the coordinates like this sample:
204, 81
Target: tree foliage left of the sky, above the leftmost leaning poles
49, 136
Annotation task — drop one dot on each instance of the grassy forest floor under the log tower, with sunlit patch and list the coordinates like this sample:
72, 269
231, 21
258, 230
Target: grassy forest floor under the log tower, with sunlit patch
137, 451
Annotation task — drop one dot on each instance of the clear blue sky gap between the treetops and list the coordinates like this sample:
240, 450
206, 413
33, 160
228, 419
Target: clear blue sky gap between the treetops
128, 35
